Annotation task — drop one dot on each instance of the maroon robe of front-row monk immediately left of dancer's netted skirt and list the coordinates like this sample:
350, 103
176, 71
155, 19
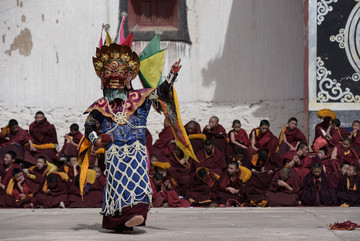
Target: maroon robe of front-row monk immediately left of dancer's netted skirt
93, 195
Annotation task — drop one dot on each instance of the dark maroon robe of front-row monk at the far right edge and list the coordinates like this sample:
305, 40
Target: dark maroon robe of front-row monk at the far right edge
346, 191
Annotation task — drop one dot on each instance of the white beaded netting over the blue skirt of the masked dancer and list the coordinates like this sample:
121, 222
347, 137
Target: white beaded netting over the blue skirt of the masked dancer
127, 180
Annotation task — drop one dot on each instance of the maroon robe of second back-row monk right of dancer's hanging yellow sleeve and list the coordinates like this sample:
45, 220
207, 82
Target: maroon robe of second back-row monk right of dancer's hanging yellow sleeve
218, 137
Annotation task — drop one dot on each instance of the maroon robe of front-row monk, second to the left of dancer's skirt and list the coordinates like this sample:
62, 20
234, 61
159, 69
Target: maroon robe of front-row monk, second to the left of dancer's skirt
53, 198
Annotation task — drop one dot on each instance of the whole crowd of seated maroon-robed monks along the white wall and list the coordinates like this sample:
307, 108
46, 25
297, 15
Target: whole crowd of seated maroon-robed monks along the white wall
231, 168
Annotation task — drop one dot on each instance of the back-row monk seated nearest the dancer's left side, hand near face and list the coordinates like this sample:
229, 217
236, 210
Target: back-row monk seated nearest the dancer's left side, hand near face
71, 142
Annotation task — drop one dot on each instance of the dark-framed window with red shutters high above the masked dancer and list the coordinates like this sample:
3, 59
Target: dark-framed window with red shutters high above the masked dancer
169, 17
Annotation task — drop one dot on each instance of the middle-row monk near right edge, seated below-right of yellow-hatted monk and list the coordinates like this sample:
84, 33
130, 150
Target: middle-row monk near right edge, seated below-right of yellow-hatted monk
343, 152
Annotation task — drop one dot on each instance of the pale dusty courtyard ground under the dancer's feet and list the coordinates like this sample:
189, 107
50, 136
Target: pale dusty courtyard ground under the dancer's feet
298, 223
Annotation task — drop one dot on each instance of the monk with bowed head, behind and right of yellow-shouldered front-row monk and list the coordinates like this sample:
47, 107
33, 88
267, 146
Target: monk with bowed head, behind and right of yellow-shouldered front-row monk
263, 166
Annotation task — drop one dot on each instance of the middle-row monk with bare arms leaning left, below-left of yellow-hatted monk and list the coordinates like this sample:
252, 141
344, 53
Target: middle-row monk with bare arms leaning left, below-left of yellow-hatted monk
300, 161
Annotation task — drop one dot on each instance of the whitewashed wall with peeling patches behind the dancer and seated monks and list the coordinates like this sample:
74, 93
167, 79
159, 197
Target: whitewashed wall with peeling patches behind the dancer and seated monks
245, 61
